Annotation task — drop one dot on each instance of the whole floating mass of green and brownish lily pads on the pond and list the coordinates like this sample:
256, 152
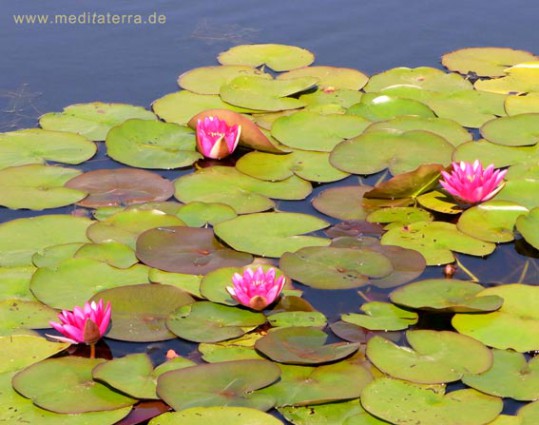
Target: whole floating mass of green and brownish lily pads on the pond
165, 266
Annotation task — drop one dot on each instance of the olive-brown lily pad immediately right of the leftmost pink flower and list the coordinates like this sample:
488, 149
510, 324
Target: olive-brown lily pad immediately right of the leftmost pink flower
139, 312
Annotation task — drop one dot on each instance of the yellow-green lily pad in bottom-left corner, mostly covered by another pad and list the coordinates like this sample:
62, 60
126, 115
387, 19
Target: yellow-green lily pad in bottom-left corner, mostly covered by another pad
15, 408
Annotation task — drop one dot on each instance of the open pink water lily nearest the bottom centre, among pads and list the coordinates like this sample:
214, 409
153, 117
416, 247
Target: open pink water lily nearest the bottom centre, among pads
256, 289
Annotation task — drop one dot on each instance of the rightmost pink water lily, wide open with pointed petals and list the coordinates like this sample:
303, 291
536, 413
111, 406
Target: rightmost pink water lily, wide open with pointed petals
471, 184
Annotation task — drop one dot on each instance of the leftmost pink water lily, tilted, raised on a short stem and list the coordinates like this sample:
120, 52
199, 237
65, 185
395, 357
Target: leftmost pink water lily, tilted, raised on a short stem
85, 324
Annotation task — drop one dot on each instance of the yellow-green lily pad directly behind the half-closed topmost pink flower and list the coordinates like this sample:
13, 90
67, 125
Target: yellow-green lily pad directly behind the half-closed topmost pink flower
181, 106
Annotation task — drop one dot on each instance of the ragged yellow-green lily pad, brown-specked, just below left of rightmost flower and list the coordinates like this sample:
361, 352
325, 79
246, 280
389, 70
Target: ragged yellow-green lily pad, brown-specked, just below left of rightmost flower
435, 241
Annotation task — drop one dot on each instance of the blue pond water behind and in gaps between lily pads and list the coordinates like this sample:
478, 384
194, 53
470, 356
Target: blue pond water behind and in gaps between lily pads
46, 67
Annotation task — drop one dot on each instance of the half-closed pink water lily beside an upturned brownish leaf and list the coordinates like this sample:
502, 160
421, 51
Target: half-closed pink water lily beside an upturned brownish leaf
215, 138
